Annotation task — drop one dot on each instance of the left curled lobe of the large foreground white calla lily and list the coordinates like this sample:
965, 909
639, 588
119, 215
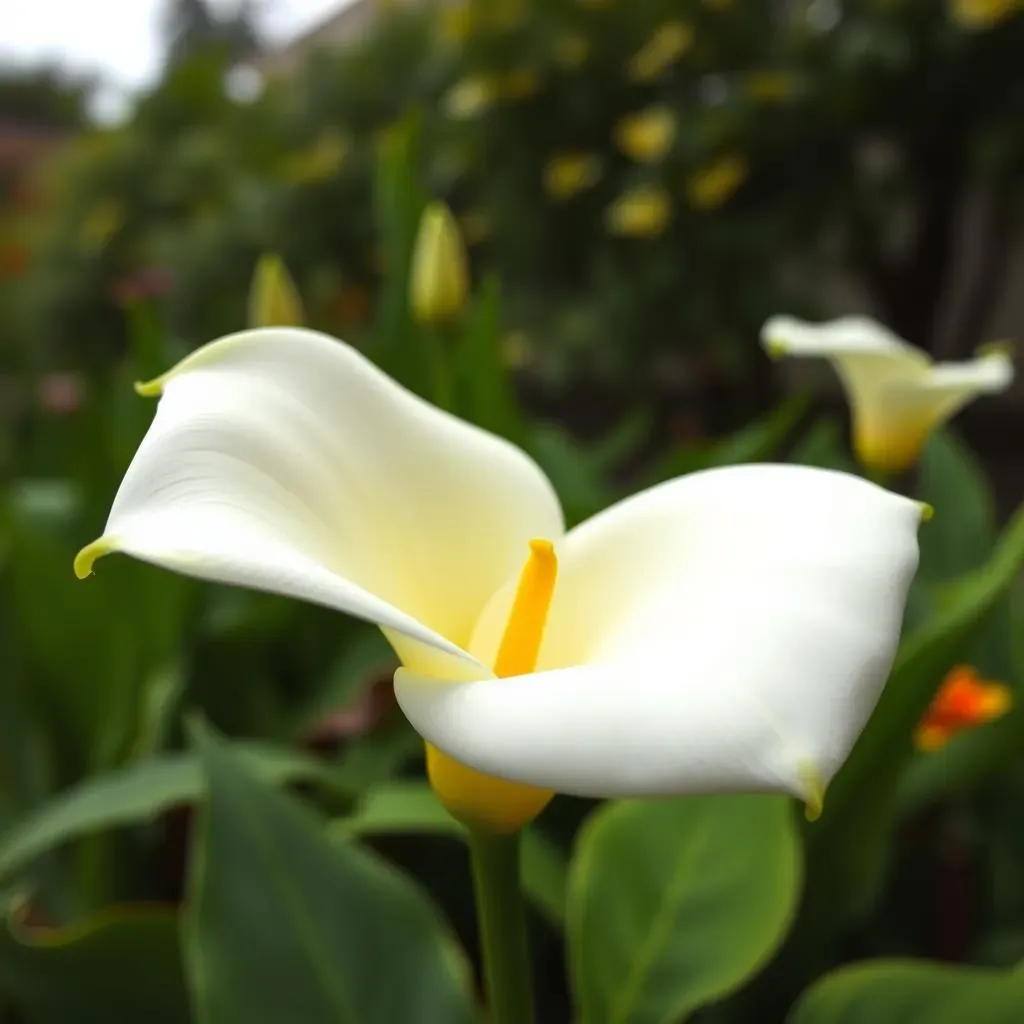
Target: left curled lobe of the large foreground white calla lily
283, 460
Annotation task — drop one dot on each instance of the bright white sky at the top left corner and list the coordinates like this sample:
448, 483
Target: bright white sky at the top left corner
120, 39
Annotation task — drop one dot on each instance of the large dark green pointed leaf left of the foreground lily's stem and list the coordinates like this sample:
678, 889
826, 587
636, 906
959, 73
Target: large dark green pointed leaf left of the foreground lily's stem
284, 926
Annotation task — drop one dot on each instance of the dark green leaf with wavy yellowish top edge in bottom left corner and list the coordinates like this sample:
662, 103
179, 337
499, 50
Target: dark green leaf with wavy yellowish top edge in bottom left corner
119, 968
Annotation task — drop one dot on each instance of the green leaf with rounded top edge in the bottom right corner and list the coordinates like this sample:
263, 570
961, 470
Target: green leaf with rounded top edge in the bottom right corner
910, 993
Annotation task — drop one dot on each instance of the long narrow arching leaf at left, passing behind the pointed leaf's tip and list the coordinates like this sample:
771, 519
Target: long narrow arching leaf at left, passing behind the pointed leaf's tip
139, 794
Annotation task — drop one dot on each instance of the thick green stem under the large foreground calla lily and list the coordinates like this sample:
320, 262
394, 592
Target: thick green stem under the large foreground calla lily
502, 919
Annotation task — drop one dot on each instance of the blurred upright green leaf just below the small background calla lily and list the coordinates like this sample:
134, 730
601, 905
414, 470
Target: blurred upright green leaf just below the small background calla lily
964, 531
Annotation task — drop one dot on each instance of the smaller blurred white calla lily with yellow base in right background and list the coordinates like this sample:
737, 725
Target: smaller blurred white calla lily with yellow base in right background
898, 395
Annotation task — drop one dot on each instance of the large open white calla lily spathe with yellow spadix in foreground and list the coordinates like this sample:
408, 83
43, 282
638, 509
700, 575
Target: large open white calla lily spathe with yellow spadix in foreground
728, 631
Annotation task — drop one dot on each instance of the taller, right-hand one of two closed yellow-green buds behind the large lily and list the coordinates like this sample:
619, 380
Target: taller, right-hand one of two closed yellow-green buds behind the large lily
441, 276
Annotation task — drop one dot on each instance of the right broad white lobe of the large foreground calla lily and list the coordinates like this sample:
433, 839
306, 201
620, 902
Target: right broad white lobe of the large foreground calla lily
729, 631
